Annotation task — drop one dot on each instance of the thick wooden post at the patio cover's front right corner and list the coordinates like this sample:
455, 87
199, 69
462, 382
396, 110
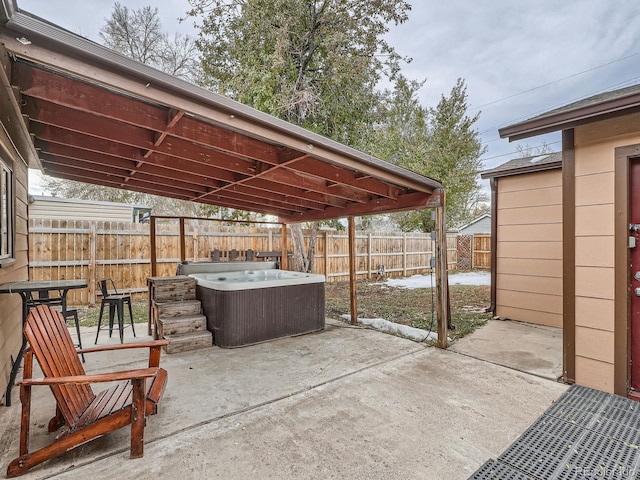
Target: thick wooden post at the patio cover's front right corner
442, 282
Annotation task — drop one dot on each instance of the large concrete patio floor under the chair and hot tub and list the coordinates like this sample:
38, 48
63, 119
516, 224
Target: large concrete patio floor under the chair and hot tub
343, 403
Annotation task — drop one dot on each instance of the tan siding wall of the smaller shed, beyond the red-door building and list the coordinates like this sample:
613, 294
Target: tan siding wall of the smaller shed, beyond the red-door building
529, 248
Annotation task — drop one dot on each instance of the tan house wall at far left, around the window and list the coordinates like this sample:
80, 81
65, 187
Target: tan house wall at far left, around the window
10, 305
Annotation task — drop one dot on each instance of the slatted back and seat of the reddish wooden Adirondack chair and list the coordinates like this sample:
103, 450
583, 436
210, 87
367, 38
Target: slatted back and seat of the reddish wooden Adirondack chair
47, 333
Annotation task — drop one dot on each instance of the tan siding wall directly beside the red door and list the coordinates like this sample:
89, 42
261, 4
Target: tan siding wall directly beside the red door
594, 247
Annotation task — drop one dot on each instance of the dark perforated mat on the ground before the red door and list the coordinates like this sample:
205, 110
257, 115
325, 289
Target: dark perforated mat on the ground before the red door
585, 434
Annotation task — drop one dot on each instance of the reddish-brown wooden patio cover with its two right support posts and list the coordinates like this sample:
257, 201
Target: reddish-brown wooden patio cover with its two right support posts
97, 117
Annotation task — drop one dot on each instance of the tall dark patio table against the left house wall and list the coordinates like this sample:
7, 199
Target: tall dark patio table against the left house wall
26, 289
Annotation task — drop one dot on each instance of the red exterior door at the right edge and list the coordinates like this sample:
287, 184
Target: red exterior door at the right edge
634, 239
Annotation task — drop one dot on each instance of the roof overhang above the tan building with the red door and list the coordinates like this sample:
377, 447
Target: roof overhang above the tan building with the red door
597, 107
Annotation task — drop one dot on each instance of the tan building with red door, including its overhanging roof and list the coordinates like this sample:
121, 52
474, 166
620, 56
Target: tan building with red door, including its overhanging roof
600, 230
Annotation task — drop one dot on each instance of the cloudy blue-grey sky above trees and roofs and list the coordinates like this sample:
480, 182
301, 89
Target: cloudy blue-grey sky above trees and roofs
518, 58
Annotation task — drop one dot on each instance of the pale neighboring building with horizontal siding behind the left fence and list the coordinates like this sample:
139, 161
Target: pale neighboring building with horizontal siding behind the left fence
44, 207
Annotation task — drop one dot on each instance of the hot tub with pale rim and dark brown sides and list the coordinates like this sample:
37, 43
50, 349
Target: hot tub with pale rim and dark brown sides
251, 306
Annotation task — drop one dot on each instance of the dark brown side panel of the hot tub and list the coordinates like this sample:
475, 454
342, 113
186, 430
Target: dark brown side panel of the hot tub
243, 317
